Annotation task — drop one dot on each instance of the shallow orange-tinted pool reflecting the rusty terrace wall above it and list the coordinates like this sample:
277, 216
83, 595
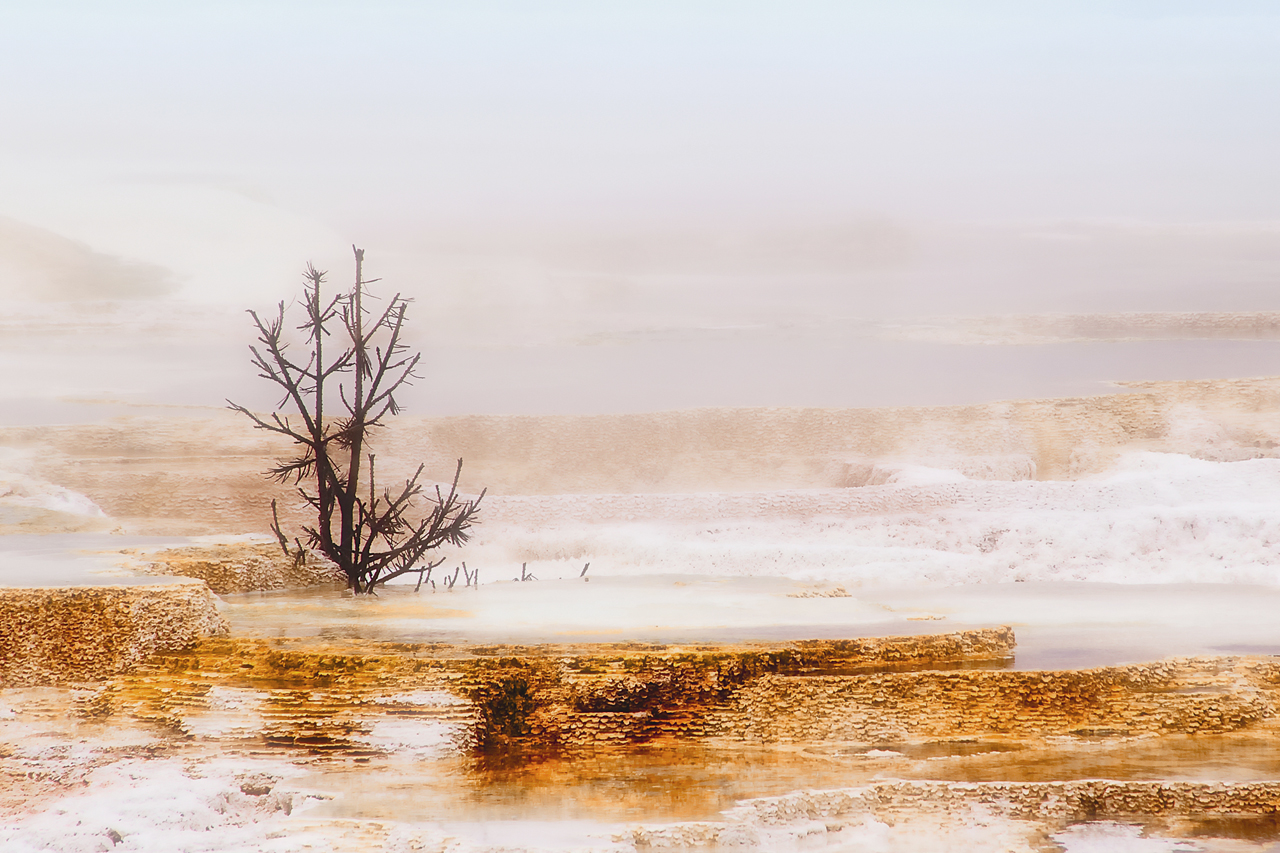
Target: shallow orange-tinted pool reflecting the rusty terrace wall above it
676, 782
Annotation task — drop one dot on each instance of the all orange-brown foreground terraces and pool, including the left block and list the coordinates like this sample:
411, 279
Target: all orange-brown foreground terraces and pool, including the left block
682, 737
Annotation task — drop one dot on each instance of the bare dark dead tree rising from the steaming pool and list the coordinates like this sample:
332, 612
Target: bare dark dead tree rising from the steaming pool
335, 402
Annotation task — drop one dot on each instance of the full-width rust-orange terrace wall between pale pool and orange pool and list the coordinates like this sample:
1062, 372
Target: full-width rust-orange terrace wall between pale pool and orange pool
570, 700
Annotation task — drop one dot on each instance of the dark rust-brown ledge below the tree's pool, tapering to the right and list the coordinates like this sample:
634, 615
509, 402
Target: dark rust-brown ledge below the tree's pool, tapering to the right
541, 699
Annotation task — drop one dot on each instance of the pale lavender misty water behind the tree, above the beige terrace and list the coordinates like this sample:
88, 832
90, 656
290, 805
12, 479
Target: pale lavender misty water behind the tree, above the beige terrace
93, 366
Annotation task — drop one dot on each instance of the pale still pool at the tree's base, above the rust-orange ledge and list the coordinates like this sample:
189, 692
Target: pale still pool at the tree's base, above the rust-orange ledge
1059, 626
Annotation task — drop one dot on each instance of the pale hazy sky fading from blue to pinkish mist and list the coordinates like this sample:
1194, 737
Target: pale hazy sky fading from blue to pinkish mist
569, 174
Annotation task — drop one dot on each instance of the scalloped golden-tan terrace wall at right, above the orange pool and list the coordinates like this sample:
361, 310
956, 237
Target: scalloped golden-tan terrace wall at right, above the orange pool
1180, 696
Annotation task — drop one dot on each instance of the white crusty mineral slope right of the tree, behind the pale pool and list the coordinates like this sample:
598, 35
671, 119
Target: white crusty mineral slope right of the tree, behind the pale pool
1156, 518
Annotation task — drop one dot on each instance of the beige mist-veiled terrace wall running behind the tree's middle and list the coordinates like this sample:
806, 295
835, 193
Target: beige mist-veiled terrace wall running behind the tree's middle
204, 476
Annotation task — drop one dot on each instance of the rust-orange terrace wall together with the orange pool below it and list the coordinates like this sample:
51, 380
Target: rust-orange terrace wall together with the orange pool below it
628, 729
